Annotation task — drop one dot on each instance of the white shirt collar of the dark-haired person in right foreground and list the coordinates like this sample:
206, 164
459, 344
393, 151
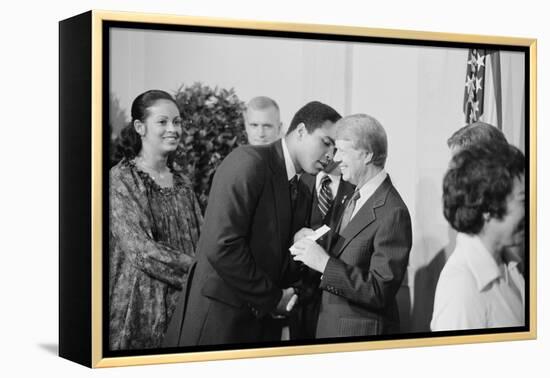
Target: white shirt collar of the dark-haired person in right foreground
482, 265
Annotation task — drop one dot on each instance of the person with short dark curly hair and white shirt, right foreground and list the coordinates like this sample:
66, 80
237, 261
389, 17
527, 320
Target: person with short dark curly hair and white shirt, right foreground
484, 200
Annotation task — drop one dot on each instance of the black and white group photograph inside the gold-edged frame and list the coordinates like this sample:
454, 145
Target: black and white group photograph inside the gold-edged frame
269, 188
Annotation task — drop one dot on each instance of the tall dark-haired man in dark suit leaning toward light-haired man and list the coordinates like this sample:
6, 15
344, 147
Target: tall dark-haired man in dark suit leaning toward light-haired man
244, 271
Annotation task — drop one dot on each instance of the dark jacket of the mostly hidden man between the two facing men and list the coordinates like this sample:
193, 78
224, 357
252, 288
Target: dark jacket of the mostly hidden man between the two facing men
303, 322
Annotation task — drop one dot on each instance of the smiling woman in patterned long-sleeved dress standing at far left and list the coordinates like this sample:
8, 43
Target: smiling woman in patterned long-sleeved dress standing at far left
154, 226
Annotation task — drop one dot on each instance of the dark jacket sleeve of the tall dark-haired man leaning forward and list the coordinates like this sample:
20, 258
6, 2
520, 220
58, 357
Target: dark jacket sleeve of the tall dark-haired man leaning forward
236, 190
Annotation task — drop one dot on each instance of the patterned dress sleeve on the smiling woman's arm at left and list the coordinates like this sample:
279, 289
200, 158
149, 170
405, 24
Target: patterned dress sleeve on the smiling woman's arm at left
131, 235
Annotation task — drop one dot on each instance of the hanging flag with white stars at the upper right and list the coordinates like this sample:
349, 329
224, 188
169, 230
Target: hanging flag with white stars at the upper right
482, 90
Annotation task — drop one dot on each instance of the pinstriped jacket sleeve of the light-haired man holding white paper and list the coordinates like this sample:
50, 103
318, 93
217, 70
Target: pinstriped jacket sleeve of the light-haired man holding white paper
376, 287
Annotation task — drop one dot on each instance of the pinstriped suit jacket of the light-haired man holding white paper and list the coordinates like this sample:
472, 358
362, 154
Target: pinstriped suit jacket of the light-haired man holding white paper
368, 262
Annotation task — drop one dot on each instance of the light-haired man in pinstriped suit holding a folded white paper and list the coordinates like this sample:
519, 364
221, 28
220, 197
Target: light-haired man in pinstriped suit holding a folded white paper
370, 252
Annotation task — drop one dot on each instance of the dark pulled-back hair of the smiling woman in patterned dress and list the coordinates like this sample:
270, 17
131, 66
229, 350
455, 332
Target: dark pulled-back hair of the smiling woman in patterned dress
129, 142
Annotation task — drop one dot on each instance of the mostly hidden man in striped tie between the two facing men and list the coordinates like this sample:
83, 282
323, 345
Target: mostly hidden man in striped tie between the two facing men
328, 193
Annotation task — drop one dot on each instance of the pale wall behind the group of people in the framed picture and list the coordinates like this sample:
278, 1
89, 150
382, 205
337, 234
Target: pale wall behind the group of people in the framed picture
415, 92
